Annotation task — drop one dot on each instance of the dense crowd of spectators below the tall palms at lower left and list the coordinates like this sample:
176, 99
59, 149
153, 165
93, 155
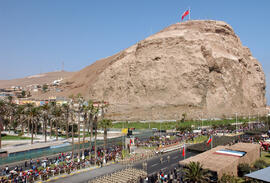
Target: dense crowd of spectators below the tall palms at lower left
42, 169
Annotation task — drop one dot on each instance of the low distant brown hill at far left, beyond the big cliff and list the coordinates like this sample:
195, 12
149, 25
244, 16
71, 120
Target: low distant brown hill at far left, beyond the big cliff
36, 79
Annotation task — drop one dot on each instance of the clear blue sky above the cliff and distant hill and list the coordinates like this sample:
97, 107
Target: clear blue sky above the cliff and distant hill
38, 35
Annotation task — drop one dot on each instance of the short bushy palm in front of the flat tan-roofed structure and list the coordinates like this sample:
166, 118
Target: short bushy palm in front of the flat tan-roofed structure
194, 173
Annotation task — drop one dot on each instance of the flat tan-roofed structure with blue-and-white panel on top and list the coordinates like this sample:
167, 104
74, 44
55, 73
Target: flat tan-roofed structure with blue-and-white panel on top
225, 159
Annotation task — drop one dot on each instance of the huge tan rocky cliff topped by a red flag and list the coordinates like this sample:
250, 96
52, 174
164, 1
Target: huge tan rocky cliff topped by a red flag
197, 67
